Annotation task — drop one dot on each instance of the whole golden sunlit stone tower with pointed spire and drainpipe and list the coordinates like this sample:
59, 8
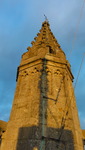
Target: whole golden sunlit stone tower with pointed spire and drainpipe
44, 114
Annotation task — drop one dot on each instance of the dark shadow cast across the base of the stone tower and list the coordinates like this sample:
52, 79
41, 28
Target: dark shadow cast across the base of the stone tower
29, 138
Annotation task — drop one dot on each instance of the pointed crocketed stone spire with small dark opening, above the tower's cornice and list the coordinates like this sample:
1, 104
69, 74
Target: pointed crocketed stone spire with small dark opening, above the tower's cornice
46, 43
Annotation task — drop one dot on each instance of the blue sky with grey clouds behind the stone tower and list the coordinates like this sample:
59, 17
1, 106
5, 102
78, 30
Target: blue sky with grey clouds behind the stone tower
20, 21
